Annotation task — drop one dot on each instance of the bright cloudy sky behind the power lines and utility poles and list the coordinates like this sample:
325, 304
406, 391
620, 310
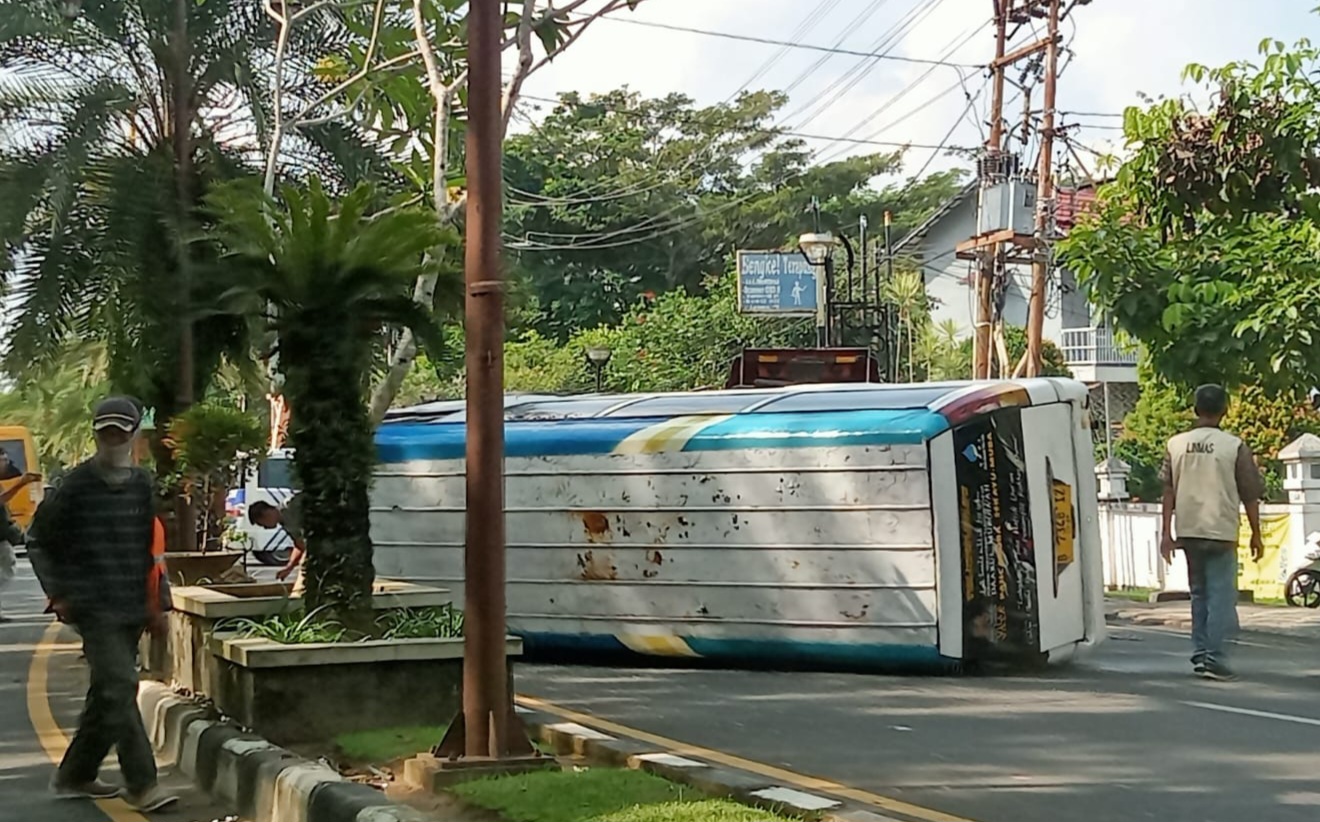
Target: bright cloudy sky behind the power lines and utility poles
1120, 49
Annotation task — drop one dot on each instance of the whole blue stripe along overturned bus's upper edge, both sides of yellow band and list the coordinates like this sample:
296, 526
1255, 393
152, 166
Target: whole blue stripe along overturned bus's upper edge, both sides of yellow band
411, 441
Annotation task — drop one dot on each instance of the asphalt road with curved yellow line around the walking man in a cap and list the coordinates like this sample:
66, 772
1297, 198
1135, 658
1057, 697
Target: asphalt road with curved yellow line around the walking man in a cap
26, 762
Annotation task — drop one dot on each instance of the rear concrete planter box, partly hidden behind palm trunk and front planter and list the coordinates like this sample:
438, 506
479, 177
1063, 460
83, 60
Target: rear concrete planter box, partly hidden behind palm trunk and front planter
184, 659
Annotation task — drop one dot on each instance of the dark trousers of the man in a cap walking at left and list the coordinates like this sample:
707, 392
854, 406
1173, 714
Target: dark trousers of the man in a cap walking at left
110, 717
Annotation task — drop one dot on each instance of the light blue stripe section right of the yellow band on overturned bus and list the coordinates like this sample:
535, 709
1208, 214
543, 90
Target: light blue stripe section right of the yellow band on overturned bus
803, 431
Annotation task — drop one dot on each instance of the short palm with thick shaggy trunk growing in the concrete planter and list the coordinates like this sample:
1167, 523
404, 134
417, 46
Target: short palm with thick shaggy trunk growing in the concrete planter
333, 279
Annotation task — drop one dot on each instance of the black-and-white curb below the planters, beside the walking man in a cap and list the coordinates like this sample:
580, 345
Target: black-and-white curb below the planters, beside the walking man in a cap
263, 782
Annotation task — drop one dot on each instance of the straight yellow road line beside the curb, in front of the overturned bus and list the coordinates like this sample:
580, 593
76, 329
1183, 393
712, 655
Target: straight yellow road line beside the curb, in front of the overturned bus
729, 761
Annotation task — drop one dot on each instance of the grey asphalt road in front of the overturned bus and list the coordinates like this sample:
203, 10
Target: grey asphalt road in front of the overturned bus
1125, 736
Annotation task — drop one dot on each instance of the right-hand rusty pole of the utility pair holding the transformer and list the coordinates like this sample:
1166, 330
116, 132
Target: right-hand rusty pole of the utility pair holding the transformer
1045, 200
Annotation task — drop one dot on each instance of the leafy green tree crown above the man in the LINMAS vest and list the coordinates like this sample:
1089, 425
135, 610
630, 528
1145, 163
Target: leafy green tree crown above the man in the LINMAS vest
1206, 246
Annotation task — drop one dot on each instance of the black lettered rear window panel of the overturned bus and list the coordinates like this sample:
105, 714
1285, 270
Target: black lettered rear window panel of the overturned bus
1000, 602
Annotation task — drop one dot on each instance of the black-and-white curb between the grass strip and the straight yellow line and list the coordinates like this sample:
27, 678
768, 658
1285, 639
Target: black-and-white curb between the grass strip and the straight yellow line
575, 740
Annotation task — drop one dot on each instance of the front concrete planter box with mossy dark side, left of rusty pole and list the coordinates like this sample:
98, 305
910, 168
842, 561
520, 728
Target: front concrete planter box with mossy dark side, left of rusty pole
310, 693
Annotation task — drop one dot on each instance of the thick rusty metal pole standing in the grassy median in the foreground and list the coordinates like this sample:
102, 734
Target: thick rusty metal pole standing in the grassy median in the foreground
485, 672
